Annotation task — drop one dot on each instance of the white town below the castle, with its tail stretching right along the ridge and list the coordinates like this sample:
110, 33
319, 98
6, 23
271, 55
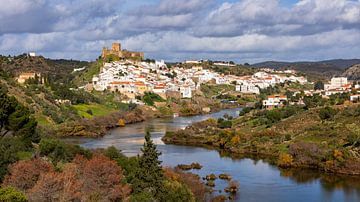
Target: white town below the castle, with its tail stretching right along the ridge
133, 78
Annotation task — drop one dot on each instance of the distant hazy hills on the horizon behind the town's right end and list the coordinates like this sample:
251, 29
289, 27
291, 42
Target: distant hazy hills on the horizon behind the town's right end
326, 68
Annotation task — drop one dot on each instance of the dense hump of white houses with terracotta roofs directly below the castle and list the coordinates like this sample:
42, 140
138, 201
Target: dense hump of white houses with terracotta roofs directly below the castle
133, 78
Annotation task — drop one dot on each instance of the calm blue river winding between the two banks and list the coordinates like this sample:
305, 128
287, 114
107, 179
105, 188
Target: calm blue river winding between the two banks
259, 181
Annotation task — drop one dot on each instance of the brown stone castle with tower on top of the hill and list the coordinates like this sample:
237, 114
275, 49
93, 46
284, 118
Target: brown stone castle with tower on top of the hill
122, 54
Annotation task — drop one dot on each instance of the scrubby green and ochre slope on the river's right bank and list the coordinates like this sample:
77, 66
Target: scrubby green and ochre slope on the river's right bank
300, 140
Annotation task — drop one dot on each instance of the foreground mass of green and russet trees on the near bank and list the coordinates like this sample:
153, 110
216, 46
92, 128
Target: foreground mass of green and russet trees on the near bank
55, 171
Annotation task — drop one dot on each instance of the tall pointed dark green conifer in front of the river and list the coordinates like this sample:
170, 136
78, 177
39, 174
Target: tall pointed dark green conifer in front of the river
149, 176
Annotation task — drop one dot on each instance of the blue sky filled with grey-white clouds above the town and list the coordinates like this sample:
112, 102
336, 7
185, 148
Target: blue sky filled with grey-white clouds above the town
174, 30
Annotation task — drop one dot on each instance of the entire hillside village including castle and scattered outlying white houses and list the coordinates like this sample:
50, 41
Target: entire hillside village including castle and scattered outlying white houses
129, 74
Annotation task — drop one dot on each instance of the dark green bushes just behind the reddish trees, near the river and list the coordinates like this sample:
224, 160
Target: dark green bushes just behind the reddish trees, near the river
58, 151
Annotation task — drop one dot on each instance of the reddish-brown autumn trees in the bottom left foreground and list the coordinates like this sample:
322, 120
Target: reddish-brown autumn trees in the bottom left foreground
98, 178
